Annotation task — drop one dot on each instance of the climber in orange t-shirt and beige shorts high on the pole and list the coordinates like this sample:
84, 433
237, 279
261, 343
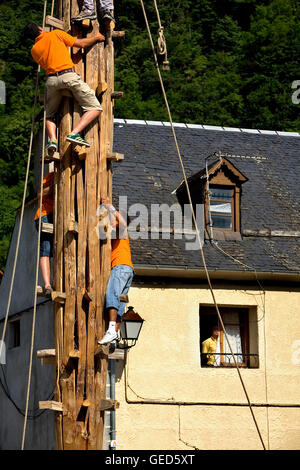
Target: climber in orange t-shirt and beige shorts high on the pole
50, 51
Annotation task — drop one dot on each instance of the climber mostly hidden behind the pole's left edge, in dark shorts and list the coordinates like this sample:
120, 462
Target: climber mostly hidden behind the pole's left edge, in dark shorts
46, 241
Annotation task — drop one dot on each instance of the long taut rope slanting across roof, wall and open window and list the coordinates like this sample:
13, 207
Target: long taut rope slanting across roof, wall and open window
195, 222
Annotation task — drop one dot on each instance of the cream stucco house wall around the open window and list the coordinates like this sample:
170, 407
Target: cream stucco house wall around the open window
165, 365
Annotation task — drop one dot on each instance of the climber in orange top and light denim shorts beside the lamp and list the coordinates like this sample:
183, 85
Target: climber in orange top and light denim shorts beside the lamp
121, 273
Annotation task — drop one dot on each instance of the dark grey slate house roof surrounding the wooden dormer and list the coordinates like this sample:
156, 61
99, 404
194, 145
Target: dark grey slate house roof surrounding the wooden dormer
270, 198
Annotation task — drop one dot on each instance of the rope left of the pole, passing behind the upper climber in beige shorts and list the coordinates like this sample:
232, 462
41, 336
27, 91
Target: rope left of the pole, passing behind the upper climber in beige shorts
36, 269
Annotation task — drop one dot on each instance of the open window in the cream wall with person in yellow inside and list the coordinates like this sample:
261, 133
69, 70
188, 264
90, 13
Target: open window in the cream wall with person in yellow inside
241, 327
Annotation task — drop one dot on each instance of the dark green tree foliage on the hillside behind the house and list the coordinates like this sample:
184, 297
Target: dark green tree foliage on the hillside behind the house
232, 63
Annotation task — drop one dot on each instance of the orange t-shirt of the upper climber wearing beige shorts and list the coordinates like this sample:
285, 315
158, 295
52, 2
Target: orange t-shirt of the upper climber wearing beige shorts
50, 51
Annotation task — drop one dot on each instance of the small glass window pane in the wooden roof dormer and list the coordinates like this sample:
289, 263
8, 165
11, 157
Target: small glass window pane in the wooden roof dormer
221, 207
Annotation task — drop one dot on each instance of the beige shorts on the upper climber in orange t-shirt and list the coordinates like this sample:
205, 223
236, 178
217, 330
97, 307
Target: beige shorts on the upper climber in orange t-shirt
83, 94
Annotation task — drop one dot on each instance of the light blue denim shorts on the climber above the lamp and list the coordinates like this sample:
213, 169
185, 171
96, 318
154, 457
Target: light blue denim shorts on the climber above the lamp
119, 283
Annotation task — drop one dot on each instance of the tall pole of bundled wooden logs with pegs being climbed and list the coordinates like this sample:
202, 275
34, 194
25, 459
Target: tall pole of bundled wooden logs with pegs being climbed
81, 264
